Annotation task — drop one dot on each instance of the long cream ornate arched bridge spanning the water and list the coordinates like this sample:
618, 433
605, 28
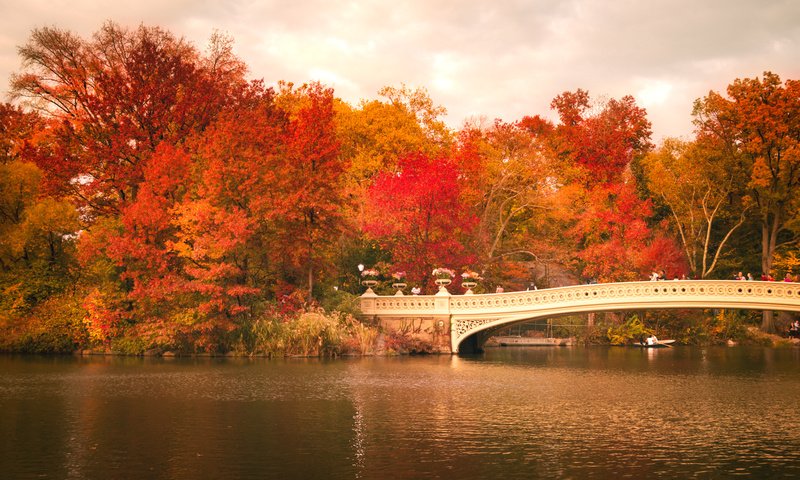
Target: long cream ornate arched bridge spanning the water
454, 323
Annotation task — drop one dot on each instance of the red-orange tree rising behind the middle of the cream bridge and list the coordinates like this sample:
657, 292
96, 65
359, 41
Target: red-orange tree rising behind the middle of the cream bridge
609, 236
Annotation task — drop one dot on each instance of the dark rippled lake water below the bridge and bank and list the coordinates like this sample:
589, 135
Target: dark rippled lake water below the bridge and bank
510, 413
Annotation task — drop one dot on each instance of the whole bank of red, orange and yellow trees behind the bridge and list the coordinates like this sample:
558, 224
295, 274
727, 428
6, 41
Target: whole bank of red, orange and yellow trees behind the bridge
155, 199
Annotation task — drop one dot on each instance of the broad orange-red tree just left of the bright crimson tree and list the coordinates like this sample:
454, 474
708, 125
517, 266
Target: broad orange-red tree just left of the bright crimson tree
267, 207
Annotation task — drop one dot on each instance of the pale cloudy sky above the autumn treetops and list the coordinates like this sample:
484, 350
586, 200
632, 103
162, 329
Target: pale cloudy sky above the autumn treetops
477, 58
